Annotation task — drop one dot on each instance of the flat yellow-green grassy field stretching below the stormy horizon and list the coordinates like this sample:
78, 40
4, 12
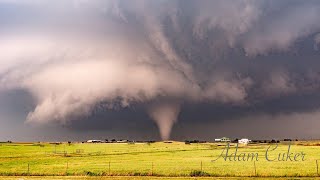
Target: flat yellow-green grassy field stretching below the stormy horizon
160, 159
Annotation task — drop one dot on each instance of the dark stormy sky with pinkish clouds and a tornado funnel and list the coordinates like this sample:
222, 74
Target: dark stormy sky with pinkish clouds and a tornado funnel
159, 70
